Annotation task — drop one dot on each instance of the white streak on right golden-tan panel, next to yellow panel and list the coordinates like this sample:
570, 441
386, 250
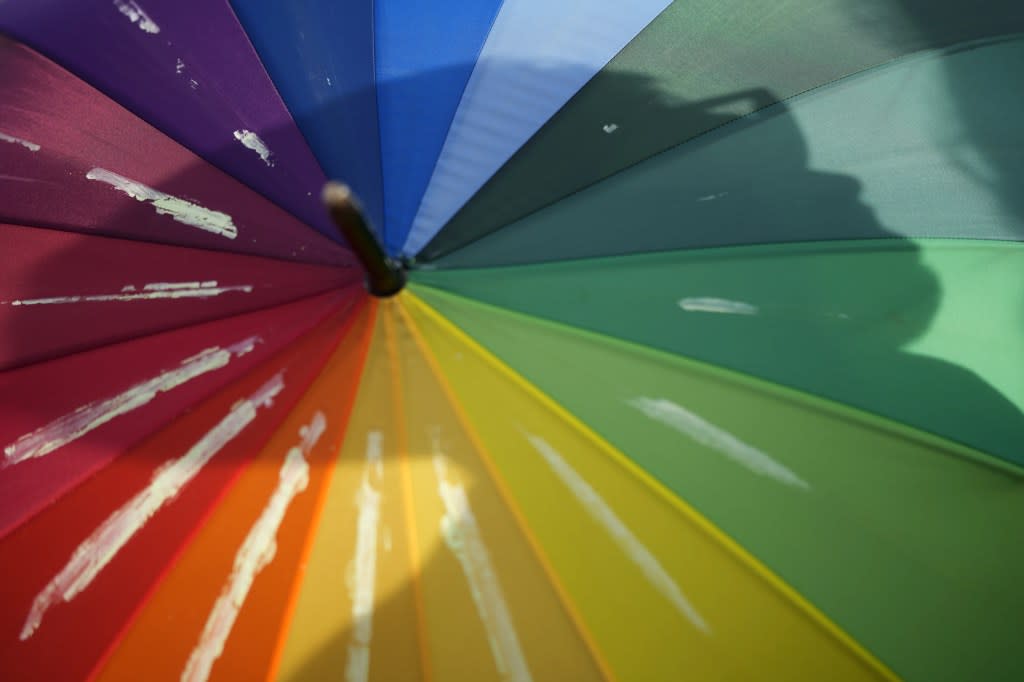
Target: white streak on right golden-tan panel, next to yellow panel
462, 535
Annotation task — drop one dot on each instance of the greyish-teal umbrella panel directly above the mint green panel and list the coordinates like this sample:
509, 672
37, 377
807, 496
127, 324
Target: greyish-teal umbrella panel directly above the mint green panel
929, 146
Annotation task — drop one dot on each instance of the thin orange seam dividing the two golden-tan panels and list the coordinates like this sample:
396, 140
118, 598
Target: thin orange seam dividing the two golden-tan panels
408, 489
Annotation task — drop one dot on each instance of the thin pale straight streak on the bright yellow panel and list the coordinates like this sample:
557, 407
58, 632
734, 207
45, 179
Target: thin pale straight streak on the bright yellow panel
628, 543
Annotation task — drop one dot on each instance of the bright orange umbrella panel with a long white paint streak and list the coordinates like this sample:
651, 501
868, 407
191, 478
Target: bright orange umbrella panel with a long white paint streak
236, 574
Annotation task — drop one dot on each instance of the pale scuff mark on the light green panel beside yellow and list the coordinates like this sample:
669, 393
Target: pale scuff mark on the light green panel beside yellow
708, 435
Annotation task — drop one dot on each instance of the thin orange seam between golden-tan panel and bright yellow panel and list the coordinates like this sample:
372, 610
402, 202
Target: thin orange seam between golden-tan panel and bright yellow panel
506, 495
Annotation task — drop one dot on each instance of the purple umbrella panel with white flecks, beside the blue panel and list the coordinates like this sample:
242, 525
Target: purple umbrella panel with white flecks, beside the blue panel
188, 69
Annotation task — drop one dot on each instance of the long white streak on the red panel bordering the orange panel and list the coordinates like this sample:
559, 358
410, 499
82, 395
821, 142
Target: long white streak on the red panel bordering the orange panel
90, 560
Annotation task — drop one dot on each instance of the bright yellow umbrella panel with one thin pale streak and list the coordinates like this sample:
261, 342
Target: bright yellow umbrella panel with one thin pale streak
665, 594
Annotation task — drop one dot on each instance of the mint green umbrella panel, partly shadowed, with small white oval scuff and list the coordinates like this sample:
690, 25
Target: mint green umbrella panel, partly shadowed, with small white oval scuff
929, 332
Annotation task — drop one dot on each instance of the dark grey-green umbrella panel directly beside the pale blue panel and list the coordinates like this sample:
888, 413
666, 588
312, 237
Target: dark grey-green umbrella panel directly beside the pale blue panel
702, 65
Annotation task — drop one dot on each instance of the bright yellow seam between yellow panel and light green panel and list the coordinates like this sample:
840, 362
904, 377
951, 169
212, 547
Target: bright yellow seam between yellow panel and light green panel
690, 513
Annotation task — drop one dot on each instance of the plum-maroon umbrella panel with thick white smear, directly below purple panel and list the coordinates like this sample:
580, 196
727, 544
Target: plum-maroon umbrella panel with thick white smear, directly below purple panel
78, 161
